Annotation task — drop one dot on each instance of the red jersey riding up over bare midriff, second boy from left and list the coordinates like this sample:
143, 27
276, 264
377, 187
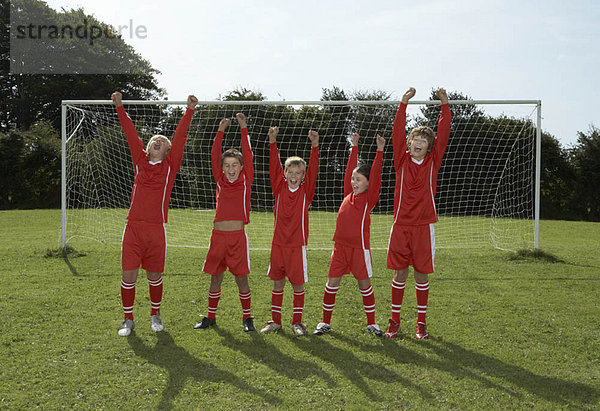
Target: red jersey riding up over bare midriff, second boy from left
233, 199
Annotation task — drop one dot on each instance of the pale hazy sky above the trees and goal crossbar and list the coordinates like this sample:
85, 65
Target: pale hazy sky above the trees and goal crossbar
544, 50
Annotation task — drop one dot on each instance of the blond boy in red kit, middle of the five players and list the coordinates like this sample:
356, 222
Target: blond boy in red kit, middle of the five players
290, 236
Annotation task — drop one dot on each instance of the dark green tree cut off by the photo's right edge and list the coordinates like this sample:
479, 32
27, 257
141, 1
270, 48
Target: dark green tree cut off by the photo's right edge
586, 161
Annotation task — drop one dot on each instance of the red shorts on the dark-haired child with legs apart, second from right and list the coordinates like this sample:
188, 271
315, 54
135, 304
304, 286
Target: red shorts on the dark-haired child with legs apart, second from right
346, 260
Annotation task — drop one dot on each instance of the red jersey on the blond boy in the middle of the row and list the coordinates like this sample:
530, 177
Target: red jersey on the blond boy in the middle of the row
291, 207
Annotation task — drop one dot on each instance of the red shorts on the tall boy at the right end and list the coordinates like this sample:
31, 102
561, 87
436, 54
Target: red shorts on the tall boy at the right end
412, 245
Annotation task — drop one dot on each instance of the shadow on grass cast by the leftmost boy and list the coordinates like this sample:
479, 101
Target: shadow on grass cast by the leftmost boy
180, 366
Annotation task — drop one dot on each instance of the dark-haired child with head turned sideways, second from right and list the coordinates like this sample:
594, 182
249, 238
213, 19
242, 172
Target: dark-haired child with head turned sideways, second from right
352, 249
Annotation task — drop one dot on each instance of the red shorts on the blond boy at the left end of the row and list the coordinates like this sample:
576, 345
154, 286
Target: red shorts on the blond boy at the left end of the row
145, 245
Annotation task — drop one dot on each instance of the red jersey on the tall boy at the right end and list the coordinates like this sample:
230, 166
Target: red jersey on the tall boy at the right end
416, 182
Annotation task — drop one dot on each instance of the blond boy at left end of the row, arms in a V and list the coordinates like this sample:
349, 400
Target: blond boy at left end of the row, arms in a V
145, 238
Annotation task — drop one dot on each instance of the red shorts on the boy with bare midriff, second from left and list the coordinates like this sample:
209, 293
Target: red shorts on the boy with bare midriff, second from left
228, 249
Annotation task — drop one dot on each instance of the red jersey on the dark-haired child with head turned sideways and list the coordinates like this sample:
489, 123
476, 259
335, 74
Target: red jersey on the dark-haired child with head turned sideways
353, 224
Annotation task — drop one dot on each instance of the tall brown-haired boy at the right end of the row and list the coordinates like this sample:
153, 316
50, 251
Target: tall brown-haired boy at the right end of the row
412, 238
